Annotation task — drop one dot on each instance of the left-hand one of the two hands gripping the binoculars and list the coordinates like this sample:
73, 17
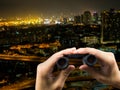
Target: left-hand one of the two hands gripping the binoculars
45, 79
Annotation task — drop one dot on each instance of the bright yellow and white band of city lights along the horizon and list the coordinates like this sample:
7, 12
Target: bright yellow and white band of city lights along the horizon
32, 20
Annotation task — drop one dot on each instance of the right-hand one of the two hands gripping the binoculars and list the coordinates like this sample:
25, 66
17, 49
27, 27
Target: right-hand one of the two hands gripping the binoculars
109, 72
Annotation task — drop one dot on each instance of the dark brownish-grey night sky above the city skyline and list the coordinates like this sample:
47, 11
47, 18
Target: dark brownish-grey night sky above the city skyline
54, 7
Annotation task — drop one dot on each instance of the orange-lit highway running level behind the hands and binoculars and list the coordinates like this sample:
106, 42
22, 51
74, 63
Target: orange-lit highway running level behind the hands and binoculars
76, 62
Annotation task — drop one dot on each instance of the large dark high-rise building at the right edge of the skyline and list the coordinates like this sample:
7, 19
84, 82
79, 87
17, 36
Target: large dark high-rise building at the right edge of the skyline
110, 26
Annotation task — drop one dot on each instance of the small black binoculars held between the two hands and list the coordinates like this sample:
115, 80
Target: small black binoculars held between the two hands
87, 59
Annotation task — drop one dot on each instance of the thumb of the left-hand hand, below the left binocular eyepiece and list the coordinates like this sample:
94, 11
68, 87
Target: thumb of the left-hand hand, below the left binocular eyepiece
64, 74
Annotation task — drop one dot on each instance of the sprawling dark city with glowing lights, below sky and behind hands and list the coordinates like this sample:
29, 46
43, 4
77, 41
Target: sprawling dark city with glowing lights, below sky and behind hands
27, 41
